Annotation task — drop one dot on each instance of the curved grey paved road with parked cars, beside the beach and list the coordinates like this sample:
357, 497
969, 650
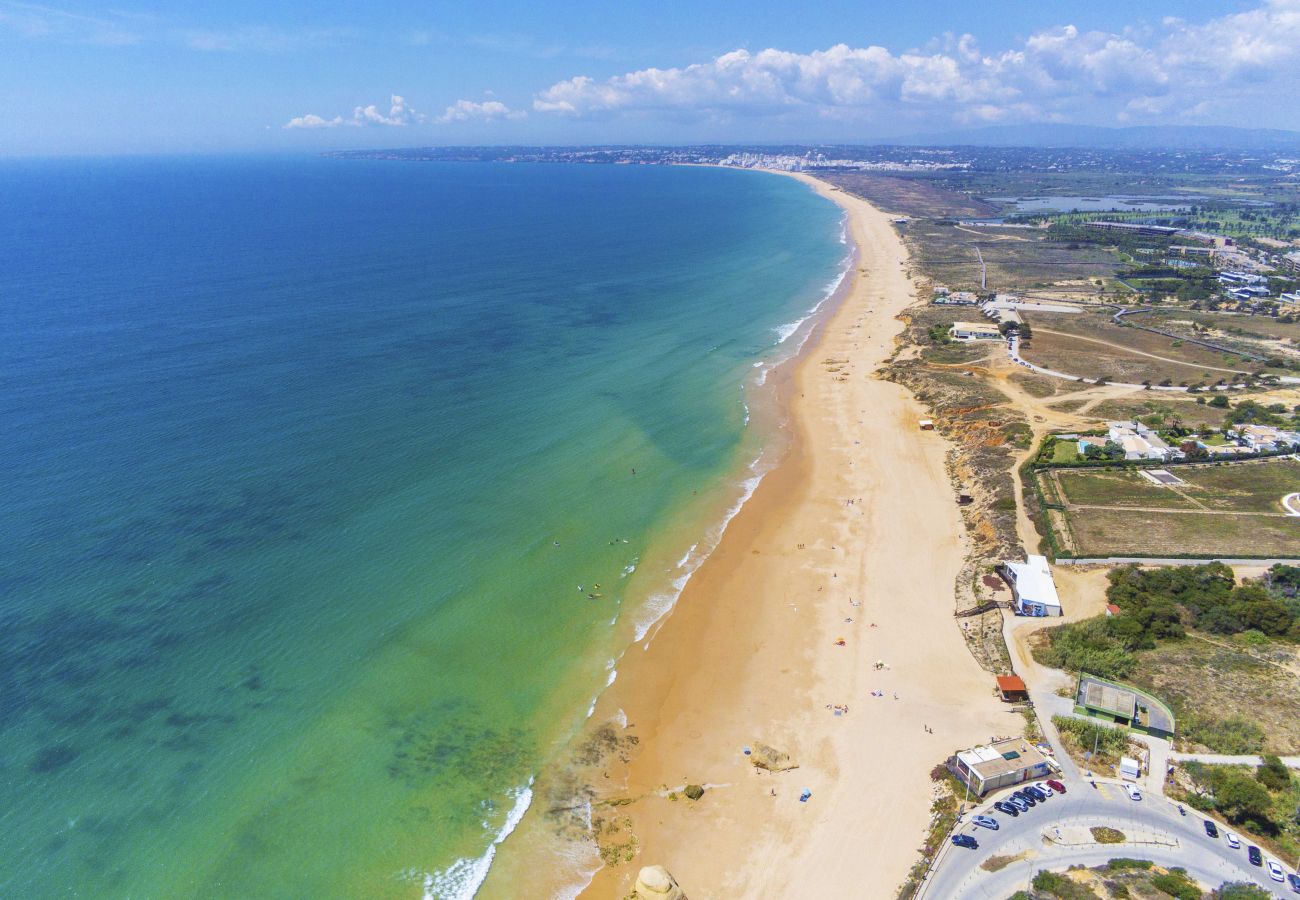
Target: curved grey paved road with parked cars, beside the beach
1182, 842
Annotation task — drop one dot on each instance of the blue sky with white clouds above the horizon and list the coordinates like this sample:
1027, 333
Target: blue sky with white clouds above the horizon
239, 76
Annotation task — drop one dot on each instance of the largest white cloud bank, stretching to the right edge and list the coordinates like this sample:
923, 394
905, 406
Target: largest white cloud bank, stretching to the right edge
1055, 73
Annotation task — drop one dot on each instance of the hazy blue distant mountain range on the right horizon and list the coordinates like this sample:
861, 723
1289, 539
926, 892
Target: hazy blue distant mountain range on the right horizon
1139, 137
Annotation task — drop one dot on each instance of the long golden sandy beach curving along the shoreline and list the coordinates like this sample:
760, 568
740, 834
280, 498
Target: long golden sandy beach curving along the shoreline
855, 536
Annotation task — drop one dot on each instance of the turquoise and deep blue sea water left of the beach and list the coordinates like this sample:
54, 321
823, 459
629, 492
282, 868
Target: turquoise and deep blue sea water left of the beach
305, 465
